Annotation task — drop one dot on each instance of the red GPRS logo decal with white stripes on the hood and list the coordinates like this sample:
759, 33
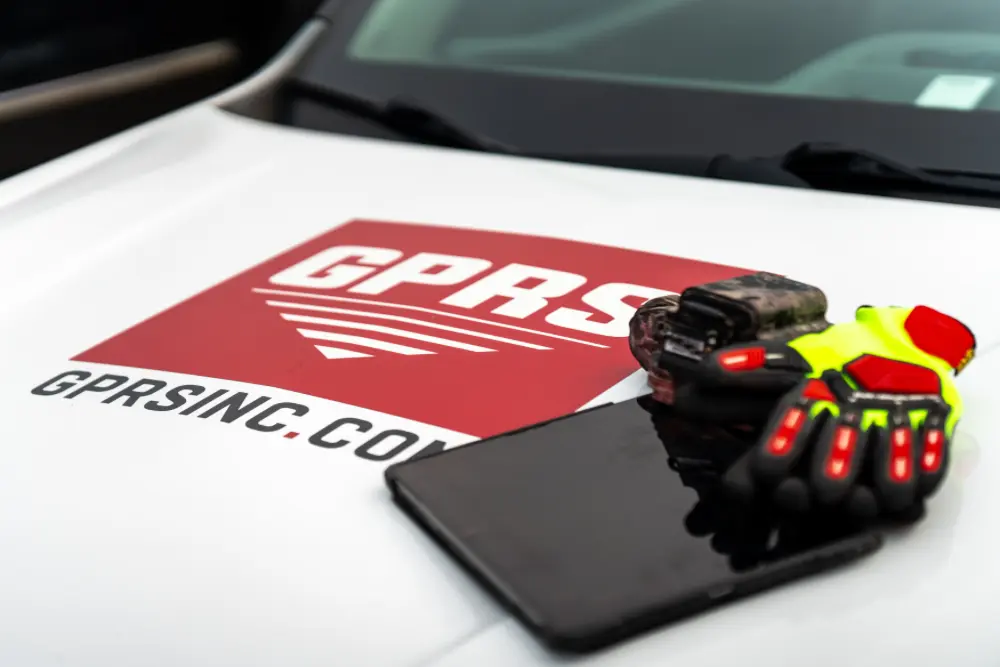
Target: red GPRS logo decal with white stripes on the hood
478, 332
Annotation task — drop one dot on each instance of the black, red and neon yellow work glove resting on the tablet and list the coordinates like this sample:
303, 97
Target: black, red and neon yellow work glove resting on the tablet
857, 417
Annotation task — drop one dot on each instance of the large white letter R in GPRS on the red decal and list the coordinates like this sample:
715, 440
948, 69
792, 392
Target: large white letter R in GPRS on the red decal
524, 301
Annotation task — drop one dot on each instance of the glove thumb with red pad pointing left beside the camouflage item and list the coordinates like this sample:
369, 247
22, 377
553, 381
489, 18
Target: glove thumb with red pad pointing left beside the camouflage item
758, 365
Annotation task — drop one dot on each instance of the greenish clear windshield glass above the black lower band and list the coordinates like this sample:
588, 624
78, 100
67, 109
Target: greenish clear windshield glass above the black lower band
928, 53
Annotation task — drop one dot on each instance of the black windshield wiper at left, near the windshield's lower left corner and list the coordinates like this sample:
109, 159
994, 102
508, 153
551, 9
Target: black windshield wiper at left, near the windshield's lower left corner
409, 118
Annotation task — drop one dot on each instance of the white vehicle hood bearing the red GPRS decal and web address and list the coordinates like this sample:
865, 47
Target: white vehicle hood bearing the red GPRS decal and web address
150, 532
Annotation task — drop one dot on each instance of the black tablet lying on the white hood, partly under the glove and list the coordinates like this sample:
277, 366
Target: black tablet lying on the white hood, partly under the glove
608, 522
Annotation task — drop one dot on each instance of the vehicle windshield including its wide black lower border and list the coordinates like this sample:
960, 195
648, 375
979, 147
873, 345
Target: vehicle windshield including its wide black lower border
910, 79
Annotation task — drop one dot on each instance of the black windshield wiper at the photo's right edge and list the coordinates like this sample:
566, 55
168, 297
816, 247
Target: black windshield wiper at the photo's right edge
832, 166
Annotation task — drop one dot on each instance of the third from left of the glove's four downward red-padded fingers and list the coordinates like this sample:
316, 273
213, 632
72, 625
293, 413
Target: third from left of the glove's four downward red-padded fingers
893, 455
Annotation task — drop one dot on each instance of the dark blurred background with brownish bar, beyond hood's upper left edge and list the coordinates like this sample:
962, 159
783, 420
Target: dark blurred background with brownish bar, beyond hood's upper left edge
74, 71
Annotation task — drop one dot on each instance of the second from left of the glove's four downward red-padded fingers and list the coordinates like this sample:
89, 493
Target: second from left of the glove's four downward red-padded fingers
837, 457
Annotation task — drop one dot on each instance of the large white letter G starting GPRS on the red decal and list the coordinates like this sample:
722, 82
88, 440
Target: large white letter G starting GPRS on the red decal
324, 271
